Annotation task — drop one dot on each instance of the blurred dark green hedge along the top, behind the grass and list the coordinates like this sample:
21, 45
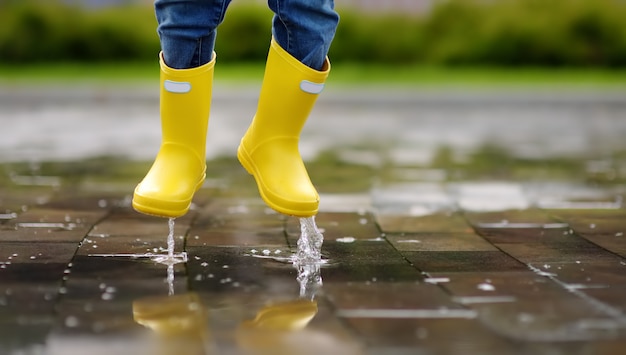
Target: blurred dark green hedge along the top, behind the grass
581, 33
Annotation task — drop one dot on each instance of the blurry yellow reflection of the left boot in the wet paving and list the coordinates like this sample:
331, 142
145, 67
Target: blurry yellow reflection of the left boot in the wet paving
180, 322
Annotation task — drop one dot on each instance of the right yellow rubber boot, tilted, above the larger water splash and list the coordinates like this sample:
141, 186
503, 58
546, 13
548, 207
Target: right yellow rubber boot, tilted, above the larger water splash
269, 149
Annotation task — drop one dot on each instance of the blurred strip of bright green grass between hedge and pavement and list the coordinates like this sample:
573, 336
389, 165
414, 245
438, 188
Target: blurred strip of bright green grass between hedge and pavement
342, 74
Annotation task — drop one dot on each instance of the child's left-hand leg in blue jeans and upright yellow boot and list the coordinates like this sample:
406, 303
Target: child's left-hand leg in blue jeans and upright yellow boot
187, 33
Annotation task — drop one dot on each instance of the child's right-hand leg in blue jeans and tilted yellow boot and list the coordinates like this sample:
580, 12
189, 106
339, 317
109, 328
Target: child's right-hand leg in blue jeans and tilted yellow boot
295, 73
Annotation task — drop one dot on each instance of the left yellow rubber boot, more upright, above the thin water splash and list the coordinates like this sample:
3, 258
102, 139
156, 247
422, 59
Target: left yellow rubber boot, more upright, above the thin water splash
180, 166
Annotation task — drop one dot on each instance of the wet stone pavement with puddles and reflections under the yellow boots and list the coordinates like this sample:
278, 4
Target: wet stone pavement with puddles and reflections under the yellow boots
476, 223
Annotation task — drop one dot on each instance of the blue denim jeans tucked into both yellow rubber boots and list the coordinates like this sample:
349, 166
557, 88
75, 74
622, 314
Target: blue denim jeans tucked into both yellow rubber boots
187, 29
